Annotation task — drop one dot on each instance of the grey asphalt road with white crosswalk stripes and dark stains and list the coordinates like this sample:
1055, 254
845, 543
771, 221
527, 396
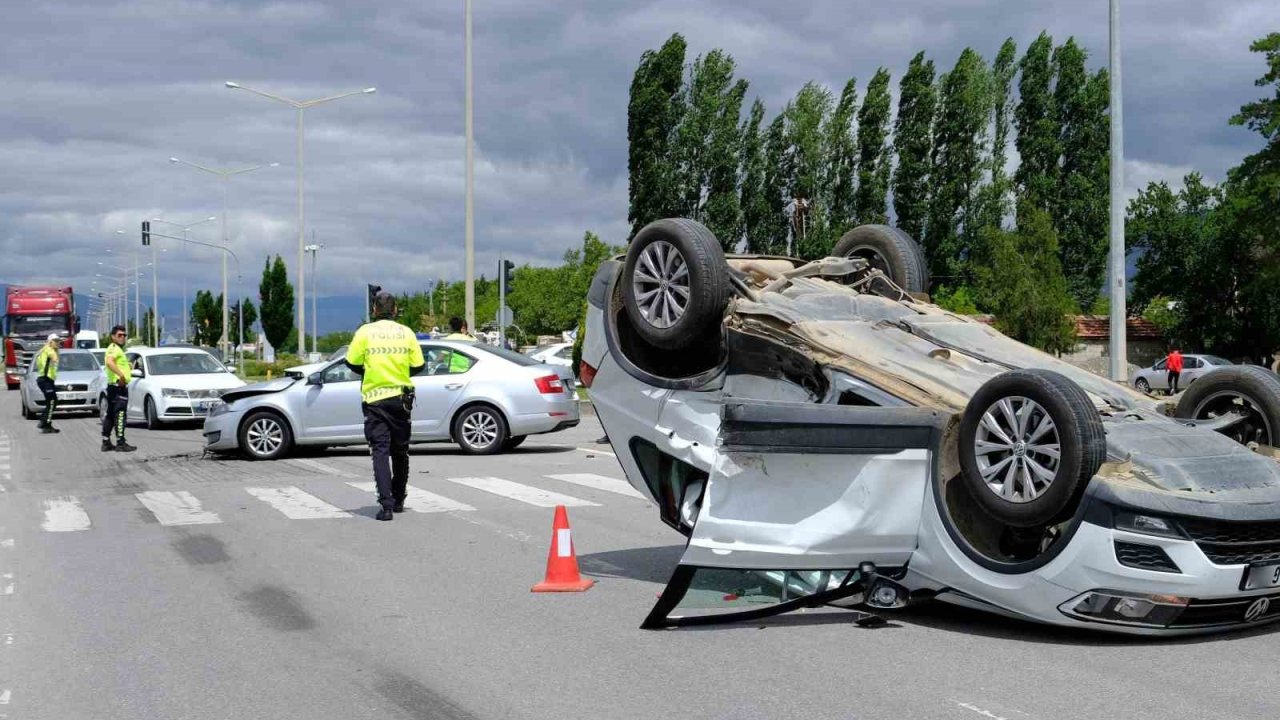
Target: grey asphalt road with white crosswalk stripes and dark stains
246, 613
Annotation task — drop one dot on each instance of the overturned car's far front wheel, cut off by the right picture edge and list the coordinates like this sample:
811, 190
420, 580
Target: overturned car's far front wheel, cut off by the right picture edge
1245, 389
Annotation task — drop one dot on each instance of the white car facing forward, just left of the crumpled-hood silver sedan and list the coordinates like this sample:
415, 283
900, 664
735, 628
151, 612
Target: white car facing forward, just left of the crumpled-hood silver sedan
175, 384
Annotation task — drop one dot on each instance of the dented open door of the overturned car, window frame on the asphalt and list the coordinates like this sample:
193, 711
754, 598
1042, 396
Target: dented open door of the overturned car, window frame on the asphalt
798, 496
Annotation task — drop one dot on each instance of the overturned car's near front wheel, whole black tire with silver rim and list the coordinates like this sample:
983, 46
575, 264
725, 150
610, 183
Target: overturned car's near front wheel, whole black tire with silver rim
1081, 445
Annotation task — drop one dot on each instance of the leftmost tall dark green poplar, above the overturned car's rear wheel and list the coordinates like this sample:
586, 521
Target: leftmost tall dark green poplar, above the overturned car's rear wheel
653, 115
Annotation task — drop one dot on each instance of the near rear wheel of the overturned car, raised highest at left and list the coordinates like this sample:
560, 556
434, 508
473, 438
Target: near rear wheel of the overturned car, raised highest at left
706, 281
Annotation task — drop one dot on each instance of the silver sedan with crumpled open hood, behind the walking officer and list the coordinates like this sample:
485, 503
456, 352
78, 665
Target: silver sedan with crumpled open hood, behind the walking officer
492, 405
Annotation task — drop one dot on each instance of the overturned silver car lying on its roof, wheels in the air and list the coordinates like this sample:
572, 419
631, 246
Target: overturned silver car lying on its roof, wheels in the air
824, 435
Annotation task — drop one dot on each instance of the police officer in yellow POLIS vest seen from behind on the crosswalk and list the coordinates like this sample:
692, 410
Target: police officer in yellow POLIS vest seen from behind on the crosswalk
386, 354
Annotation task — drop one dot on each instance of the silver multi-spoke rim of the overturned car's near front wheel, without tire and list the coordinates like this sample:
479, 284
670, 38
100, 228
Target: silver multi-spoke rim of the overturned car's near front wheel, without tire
1018, 449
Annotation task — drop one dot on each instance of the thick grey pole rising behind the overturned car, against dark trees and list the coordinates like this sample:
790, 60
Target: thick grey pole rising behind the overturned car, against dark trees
1119, 345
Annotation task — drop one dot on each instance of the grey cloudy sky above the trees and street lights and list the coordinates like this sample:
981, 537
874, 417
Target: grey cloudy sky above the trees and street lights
100, 94
